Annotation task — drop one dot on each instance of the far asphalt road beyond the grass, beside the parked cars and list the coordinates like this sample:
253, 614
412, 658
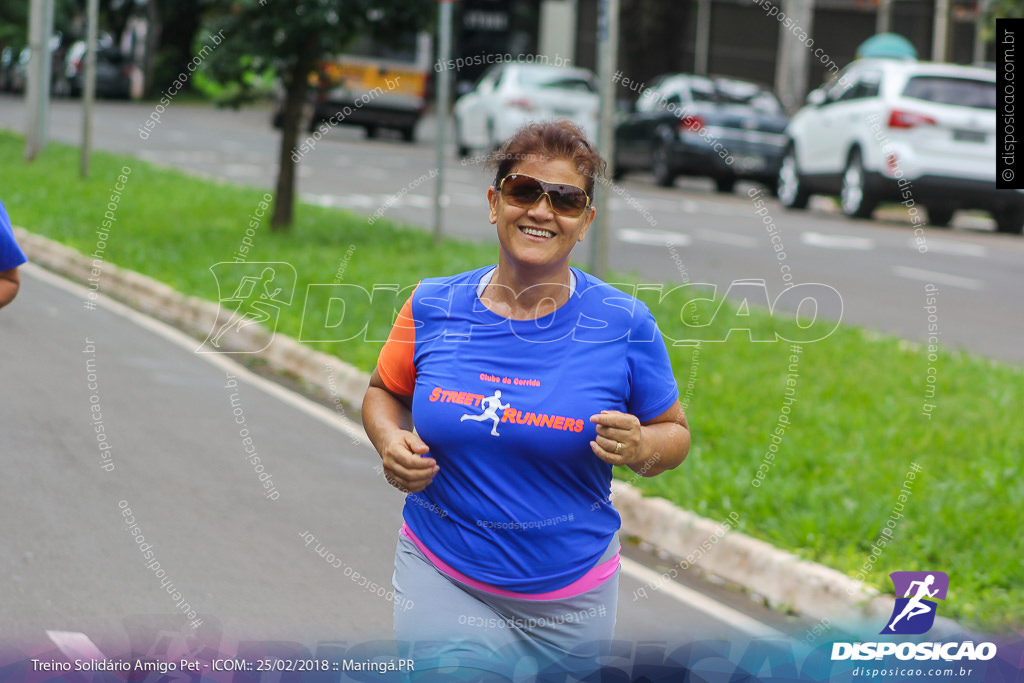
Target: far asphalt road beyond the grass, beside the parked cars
681, 234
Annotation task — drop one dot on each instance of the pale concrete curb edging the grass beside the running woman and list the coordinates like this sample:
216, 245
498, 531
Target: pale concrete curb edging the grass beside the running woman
783, 580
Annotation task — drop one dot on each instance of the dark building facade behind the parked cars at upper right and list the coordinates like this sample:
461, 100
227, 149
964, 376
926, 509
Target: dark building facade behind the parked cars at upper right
739, 38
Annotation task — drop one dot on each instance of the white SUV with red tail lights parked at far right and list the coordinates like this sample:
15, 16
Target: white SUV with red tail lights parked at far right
919, 134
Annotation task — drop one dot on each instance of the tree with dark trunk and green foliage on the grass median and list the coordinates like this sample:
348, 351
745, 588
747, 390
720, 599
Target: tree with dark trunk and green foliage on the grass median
292, 37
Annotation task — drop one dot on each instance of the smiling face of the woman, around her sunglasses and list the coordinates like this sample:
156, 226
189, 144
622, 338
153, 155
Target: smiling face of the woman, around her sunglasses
536, 237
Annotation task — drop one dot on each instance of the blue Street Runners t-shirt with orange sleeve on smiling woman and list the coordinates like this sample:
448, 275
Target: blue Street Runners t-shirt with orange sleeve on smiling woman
521, 501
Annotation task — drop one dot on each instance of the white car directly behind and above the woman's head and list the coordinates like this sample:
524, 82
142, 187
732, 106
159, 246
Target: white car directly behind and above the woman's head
511, 95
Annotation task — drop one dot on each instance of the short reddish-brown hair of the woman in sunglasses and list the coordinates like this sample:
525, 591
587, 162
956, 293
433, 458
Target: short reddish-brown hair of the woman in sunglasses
550, 140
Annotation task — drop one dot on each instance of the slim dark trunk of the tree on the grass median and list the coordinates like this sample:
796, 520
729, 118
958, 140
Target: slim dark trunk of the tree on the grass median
295, 98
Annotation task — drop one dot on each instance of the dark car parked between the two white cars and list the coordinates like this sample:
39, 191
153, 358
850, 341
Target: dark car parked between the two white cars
722, 129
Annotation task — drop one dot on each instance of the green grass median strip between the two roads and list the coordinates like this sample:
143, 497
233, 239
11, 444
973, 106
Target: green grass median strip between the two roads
855, 408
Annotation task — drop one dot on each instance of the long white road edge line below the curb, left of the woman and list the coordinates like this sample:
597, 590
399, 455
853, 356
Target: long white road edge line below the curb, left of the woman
322, 413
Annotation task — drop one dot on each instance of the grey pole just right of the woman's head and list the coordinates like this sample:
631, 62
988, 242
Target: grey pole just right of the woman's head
608, 57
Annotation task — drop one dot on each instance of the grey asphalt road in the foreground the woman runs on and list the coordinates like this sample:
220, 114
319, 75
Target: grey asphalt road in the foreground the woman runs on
177, 474
